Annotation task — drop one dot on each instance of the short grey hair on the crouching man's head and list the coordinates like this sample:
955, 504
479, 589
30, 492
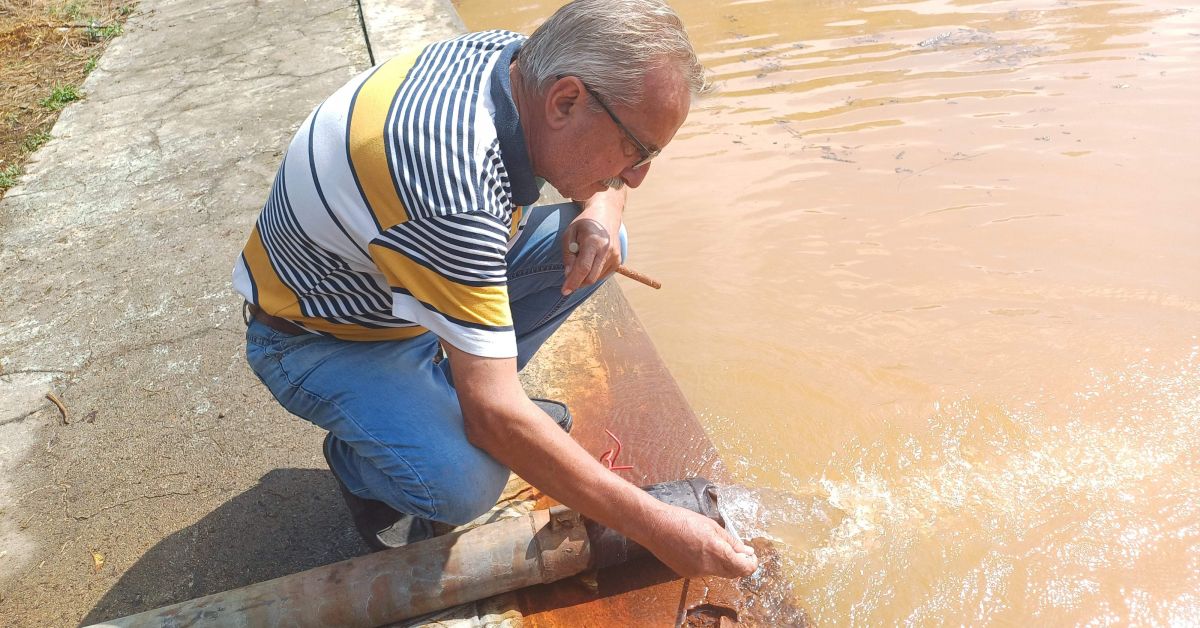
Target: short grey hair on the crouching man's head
610, 45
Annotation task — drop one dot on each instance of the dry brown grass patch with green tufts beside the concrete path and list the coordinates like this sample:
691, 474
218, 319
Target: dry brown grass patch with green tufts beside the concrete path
47, 47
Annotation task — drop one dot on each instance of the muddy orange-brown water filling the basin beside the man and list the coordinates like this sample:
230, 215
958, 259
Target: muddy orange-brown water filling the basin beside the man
933, 280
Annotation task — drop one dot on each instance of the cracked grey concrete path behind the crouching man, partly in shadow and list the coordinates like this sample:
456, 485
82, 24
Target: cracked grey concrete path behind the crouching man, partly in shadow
175, 475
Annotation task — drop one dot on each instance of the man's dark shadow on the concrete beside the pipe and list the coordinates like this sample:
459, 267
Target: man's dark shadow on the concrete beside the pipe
292, 521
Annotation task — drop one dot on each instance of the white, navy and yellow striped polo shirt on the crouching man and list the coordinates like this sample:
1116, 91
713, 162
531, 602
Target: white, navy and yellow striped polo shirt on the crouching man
398, 201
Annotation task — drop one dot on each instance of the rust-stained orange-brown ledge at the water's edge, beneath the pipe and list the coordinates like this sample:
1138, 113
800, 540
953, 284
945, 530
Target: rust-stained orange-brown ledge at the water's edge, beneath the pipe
617, 381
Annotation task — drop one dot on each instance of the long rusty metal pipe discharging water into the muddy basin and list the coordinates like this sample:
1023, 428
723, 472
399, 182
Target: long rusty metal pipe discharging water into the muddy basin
435, 575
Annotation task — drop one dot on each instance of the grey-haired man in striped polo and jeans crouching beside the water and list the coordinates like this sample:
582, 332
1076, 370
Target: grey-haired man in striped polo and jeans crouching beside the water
400, 232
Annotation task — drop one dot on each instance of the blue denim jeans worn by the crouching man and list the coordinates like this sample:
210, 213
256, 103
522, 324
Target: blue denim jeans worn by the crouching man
398, 430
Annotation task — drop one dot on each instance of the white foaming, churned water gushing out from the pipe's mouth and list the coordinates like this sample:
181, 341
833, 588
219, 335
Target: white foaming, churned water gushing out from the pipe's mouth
1085, 510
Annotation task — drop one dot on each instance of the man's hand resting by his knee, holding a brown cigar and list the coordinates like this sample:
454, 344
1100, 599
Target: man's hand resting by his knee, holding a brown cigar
592, 242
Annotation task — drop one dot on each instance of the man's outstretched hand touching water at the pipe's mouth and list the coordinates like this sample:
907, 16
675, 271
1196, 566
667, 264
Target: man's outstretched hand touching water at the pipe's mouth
694, 546
